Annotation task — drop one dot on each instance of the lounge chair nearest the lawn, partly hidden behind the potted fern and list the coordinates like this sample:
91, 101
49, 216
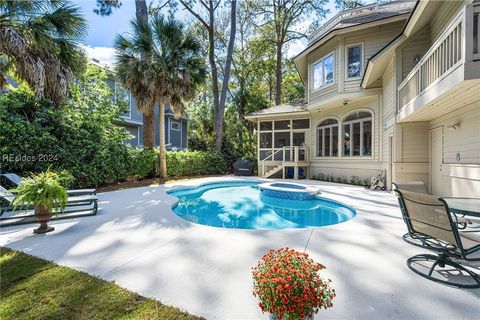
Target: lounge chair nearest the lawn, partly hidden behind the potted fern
80, 205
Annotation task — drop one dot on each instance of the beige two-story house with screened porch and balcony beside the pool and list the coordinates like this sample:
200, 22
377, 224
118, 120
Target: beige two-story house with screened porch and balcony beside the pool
393, 87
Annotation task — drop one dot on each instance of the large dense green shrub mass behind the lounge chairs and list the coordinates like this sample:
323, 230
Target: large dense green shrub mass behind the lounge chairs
81, 136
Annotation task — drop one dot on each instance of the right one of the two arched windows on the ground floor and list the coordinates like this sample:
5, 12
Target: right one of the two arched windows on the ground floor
357, 134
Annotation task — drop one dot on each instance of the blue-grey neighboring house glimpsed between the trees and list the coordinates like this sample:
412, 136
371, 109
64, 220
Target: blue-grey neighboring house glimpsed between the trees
175, 129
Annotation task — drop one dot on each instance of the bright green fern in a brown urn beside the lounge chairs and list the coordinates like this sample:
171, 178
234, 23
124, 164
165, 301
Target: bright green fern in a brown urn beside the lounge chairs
45, 192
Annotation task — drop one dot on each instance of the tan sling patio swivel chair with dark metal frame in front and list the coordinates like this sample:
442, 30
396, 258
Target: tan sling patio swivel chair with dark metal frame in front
429, 220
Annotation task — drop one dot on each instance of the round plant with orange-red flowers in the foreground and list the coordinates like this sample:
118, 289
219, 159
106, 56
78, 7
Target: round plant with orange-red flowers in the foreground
288, 285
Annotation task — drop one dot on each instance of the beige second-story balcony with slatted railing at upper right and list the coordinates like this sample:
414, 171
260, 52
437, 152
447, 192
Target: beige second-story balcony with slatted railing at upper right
448, 75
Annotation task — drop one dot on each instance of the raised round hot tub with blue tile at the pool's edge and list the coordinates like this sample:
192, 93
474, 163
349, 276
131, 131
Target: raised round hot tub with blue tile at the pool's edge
287, 190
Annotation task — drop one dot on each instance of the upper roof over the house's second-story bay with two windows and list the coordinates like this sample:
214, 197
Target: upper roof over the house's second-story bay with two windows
362, 15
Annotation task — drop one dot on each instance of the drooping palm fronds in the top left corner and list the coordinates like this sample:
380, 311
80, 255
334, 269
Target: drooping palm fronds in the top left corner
38, 42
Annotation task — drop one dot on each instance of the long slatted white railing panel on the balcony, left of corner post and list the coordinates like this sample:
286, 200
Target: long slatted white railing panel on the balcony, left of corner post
442, 57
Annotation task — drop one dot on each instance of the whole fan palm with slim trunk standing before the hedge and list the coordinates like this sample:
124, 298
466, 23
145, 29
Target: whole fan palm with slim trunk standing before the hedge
160, 62
